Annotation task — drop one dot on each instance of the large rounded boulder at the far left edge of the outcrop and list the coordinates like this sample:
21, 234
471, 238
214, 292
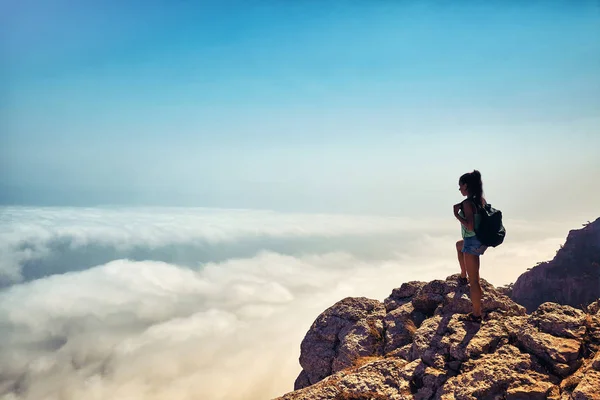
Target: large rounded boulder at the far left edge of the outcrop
349, 329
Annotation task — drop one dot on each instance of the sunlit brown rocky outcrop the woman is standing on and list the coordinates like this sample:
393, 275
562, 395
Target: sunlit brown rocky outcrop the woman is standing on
418, 344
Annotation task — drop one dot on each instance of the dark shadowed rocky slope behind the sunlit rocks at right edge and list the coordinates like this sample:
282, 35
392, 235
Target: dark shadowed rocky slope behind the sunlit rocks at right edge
572, 277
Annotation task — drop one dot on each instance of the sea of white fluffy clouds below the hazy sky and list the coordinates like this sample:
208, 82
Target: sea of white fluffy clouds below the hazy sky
191, 303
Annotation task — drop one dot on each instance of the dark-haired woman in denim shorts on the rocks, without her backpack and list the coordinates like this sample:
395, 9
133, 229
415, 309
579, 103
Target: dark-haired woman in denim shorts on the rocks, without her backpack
470, 248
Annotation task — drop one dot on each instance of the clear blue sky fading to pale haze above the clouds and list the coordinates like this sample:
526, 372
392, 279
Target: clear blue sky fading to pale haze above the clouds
348, 106
